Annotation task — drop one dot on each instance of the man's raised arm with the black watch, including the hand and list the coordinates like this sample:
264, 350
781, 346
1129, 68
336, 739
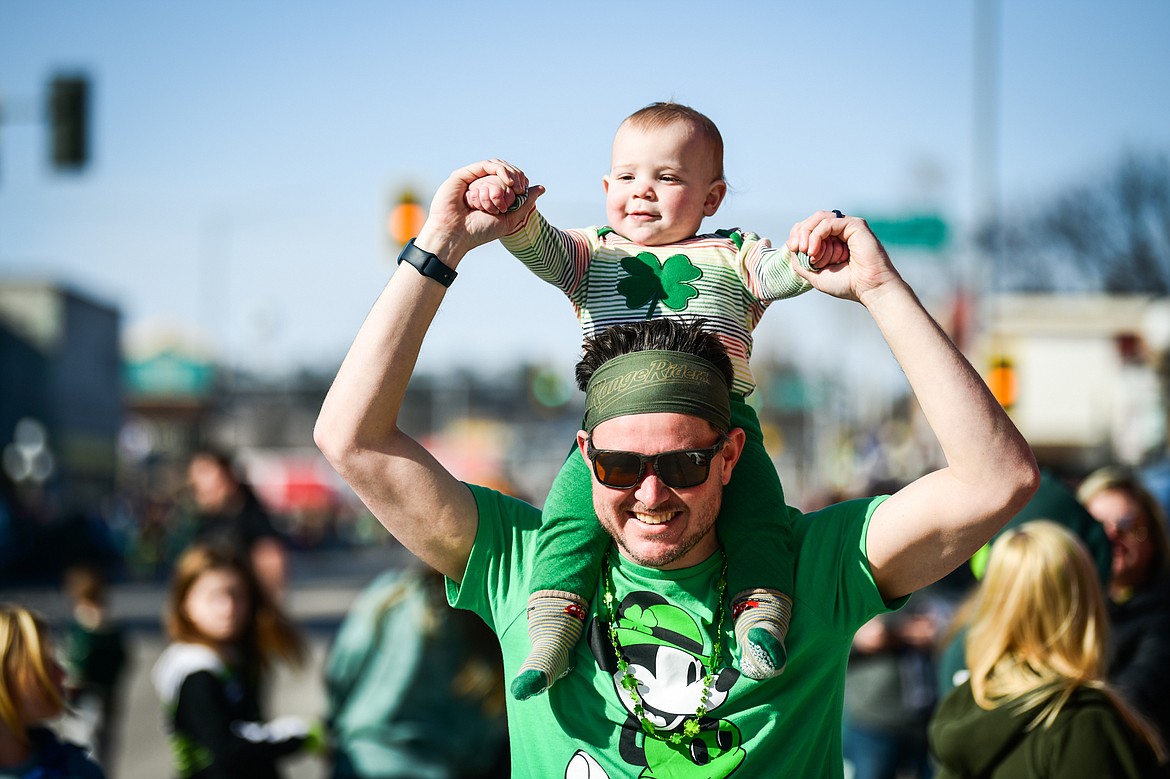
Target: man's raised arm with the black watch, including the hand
417, 500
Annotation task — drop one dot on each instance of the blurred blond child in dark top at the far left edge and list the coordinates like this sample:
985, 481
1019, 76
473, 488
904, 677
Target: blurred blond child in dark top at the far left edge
31, 694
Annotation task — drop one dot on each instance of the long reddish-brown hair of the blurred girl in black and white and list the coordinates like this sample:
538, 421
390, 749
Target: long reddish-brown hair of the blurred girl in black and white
267, 635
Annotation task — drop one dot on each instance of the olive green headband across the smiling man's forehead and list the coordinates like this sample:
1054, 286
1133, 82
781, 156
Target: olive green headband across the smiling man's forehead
658, 381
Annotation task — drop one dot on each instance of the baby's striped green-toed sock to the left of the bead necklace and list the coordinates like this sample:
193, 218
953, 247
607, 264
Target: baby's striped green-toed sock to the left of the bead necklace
556, 621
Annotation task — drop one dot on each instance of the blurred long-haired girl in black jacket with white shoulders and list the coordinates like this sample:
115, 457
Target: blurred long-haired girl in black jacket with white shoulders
226, 633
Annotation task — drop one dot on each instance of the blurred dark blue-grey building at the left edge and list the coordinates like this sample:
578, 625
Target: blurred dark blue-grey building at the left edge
60, 392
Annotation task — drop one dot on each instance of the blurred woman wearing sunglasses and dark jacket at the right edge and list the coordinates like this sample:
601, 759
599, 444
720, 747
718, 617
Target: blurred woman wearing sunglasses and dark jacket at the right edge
1139, 603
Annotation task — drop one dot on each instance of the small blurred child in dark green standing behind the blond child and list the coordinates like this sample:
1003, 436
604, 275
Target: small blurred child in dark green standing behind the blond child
95, 651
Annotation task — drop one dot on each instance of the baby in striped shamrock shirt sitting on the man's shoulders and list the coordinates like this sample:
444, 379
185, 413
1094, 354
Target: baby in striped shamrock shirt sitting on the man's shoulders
666, 176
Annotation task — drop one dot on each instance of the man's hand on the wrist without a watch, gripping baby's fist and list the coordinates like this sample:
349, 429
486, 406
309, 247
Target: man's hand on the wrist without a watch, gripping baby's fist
848, 259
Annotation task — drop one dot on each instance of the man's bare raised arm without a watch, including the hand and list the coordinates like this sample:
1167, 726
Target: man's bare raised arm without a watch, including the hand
934, 525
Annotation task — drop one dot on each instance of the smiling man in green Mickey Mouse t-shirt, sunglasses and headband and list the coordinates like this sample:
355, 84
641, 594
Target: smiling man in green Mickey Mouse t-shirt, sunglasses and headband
655, 691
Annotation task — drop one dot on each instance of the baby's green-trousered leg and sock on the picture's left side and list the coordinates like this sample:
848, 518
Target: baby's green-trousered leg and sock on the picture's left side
569, 551
